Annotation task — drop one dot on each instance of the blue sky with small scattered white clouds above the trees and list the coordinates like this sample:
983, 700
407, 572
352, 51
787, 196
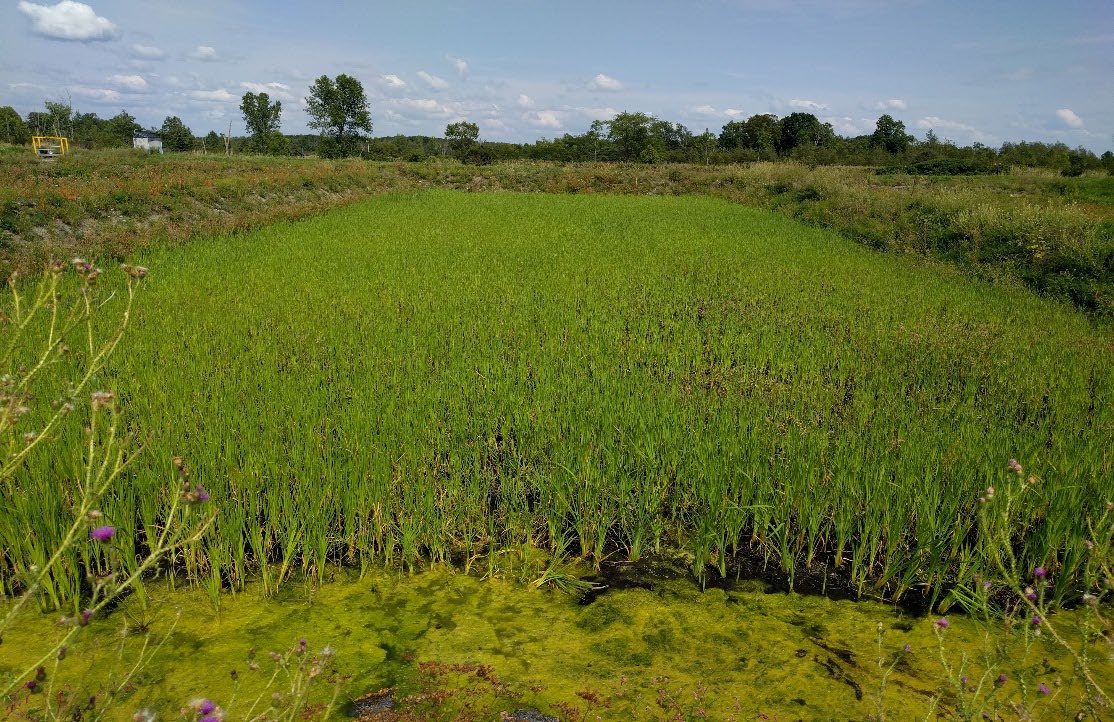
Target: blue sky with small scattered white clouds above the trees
975, 71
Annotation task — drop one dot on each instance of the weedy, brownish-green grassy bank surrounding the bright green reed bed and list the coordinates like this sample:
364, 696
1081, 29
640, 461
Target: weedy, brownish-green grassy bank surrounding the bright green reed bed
1057, 236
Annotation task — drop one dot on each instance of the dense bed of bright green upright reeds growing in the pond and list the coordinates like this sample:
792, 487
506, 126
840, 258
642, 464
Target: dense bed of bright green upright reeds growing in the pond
438, 376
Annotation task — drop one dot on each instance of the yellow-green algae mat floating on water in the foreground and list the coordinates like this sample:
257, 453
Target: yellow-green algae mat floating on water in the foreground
644, 655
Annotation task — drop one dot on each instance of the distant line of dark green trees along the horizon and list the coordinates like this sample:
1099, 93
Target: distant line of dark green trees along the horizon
629, 138
